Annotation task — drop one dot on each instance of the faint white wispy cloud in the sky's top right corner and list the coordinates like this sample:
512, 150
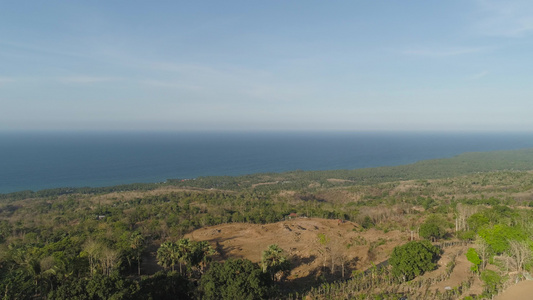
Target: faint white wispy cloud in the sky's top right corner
505, 18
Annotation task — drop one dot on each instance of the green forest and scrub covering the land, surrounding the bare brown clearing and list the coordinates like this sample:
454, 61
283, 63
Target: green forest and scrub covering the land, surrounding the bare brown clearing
90, 243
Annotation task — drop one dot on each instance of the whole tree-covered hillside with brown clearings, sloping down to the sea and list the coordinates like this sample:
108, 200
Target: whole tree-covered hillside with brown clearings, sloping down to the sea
333, 228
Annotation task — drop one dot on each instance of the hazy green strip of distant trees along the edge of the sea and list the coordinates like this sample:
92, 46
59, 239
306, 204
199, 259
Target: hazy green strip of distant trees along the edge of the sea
467, 163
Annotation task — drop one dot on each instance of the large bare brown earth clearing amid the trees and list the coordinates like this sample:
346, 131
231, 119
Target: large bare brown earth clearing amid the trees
299, 238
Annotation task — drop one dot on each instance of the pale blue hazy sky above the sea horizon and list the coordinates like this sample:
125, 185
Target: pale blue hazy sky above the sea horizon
455, 65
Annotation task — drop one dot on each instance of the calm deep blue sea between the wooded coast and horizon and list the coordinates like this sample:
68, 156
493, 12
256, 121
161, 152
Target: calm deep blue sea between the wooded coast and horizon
35, 161
